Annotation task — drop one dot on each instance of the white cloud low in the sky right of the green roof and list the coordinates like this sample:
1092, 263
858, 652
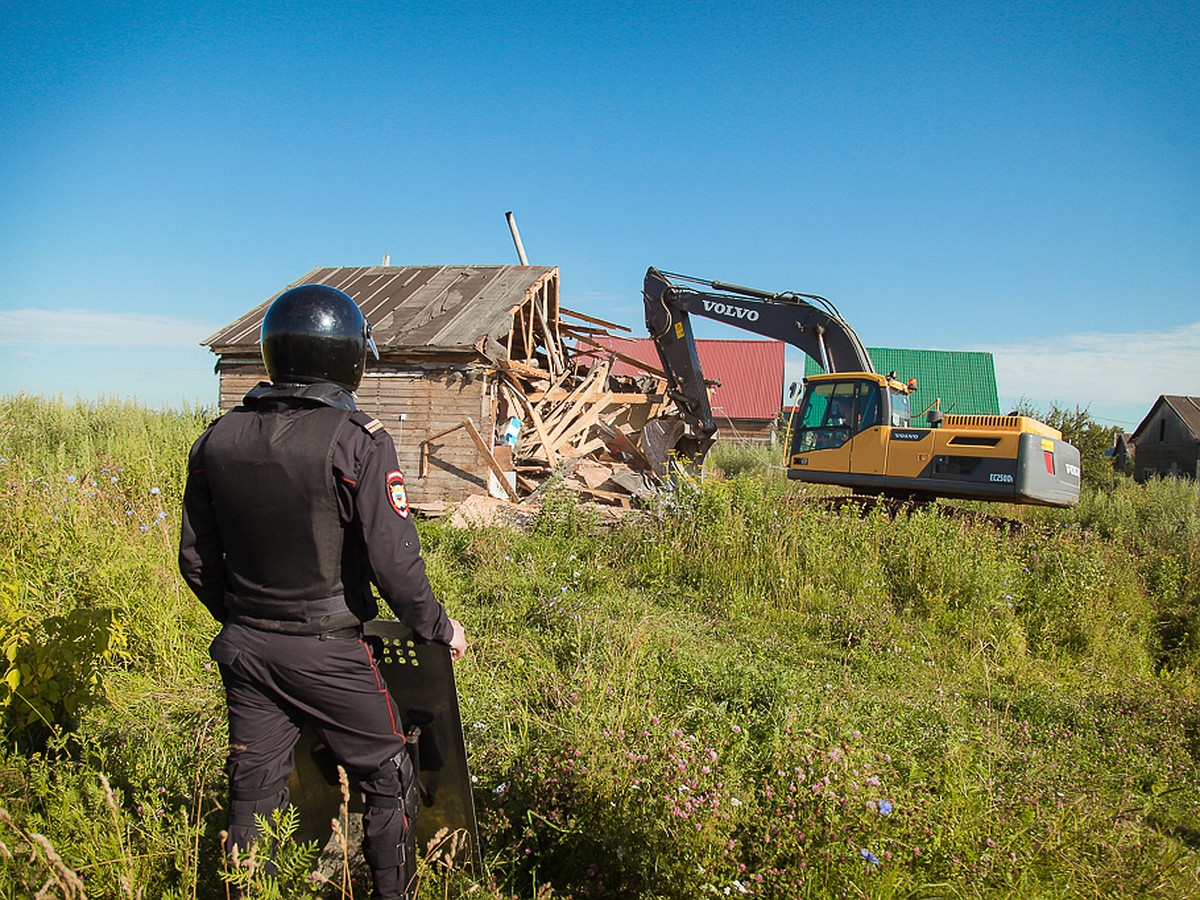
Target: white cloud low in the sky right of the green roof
1102, 368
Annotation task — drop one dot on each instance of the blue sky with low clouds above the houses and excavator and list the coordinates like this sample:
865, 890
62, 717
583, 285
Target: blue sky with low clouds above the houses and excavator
1021, 178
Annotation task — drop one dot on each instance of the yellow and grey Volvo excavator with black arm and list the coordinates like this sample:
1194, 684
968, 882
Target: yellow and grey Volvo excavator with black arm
854, 427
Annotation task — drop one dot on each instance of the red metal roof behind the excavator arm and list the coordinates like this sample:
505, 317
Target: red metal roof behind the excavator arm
751, 373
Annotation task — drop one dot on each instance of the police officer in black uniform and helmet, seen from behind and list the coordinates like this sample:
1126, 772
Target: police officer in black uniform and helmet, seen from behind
295, 507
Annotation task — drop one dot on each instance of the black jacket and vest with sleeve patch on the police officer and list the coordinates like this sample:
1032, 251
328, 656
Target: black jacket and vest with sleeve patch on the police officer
365, 489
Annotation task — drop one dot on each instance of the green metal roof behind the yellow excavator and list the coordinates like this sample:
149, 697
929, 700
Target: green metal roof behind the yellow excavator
964, 382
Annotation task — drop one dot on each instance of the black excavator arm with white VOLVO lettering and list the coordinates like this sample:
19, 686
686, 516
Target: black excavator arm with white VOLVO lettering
805, 321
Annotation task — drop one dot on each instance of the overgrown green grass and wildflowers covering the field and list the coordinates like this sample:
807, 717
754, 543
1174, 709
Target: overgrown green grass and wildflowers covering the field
737, 691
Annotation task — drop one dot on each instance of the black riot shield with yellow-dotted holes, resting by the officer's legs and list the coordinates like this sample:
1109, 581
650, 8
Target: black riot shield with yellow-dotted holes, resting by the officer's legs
421, 679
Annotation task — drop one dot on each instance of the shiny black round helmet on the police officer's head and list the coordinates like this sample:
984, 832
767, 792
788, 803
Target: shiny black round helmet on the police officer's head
316, 334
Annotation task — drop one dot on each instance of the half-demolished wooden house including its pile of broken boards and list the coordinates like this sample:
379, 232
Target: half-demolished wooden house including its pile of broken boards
487, 383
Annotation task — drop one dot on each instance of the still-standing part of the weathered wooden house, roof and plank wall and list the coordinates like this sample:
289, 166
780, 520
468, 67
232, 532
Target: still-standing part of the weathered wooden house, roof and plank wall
441, 332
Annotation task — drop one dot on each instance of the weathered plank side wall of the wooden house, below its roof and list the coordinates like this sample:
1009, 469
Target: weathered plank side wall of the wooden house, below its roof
431, 398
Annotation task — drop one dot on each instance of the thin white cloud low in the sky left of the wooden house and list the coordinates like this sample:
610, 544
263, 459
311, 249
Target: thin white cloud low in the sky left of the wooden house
99, 329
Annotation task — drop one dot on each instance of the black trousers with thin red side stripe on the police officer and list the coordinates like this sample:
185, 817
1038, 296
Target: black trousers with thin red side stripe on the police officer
278, 683
